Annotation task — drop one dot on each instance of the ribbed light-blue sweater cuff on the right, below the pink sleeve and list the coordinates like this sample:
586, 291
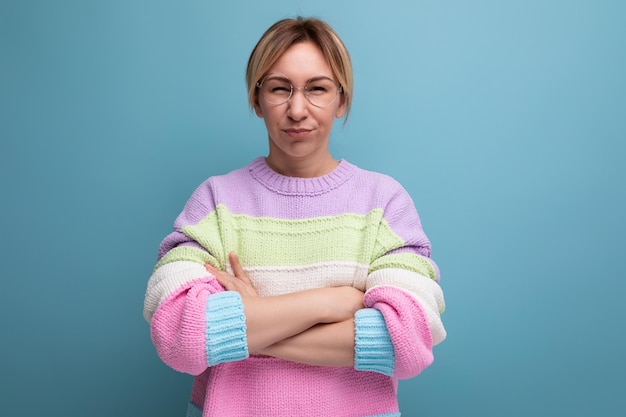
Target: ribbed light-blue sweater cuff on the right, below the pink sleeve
373, 350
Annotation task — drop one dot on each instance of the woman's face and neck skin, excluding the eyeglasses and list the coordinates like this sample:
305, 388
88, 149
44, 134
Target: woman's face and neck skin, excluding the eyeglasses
299, 132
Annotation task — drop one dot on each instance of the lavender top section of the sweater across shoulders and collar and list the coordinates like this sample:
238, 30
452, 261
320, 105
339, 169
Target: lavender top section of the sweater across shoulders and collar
347, 189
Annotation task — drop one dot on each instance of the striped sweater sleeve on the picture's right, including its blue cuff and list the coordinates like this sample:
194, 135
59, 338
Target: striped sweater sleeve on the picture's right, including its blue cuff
402, 288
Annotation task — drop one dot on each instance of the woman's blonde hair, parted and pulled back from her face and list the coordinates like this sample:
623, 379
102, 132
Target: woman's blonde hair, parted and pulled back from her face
287, 32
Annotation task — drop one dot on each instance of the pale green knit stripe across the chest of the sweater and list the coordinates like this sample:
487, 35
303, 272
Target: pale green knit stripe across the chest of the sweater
266, 241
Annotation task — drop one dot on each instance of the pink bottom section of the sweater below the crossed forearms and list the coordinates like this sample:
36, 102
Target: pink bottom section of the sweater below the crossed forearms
264, 386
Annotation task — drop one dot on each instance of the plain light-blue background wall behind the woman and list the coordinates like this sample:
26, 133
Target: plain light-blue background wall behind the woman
505, 120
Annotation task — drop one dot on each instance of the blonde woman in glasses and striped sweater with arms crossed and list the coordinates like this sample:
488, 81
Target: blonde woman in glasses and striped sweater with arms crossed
298, 285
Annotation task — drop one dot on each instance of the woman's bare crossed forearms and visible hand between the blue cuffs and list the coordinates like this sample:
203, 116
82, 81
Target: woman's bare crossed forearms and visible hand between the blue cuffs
315, 326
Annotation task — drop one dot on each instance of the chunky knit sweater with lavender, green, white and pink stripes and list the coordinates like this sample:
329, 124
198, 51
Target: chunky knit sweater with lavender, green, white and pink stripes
349, 227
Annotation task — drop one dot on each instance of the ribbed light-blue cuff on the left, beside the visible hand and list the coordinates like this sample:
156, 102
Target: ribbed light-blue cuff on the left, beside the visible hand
226, 339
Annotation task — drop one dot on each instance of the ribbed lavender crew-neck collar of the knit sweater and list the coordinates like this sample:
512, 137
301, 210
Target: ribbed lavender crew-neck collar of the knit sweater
282, 184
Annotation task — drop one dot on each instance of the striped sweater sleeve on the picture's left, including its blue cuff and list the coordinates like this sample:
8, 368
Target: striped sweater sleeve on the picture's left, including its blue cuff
194, 323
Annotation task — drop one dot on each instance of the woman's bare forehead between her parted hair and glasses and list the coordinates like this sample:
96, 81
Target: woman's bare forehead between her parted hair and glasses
301, 62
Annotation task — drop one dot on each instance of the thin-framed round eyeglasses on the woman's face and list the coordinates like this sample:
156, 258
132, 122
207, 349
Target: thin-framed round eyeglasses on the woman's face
277, 89
